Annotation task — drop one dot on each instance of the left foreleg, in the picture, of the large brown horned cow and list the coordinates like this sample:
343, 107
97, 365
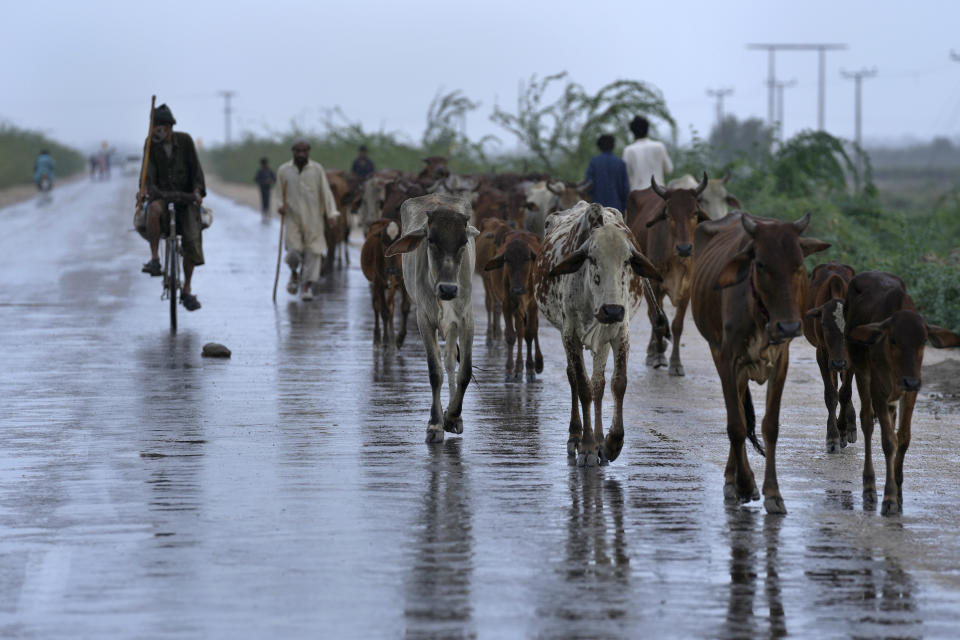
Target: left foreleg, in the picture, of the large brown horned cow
739, 484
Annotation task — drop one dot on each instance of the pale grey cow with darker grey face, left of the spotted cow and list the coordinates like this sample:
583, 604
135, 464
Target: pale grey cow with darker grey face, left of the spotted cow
437, 244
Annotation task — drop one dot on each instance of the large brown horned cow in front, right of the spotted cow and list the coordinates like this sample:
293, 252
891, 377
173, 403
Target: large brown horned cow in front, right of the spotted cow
749, 289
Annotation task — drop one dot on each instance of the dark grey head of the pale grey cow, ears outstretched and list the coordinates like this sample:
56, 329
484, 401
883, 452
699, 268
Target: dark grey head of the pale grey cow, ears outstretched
446, 234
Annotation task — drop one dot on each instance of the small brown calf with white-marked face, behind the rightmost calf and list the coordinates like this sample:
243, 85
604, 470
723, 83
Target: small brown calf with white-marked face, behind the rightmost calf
823, 326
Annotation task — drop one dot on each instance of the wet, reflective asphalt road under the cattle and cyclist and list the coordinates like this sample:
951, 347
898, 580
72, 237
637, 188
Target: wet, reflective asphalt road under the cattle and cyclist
146, 492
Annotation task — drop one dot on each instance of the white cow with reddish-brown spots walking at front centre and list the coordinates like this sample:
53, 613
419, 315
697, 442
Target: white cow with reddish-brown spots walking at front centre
589, 281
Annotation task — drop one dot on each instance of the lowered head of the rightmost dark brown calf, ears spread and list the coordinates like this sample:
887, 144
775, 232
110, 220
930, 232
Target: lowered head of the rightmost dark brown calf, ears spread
902, 337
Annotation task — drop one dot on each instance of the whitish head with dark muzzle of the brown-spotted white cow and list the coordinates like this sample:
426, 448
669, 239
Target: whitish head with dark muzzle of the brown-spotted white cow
608, 260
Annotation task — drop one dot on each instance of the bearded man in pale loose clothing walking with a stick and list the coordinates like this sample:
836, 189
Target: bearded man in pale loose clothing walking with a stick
309, 204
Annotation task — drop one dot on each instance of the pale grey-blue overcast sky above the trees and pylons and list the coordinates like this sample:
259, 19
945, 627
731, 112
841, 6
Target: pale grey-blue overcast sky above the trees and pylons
83, 71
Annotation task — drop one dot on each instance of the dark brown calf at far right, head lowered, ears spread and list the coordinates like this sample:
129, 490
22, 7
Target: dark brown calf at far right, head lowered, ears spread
885, 336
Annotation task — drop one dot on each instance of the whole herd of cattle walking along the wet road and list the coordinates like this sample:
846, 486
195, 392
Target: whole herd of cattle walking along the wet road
541, 247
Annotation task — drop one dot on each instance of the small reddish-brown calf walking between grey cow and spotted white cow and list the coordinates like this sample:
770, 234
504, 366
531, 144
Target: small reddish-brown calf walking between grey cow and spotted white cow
514, 290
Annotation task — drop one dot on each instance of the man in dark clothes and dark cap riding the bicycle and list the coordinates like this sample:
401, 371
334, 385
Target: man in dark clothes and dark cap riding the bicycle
174, 176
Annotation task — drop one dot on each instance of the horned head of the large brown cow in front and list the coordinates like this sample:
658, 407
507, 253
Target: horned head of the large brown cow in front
773, 260
